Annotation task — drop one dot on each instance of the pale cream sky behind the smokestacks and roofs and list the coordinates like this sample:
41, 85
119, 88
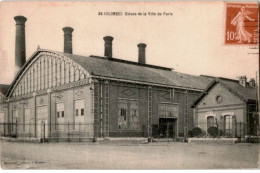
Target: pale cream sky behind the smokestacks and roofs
190, 40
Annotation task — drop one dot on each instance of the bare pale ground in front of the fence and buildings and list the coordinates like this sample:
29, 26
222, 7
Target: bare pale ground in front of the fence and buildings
159, 155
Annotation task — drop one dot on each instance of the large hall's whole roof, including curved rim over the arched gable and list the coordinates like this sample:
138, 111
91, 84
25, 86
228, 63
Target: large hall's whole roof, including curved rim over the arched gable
118, 69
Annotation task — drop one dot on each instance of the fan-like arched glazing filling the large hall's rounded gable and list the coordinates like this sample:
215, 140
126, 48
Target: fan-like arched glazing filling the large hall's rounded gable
48, 72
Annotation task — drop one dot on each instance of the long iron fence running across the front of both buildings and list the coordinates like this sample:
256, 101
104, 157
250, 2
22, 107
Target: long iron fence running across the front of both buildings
87, 131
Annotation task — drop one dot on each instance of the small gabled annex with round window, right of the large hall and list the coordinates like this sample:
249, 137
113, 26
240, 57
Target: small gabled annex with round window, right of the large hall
230, 105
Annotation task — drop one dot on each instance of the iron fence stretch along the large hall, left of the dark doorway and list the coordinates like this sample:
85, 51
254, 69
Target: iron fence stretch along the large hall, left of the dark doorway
70, 131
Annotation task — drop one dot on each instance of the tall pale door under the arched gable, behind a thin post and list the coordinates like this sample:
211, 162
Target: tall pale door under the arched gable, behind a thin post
42, 116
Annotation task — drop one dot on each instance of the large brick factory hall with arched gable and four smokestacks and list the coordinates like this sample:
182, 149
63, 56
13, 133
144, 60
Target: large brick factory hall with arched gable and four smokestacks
96, 96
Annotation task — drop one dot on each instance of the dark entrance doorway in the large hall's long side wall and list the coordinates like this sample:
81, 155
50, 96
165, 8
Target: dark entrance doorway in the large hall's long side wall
167, 127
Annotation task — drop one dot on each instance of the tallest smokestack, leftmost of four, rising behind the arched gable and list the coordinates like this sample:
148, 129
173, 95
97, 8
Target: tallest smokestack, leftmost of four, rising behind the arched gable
20, 49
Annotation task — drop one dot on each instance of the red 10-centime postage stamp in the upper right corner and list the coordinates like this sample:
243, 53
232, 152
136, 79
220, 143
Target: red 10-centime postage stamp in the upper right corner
241, 24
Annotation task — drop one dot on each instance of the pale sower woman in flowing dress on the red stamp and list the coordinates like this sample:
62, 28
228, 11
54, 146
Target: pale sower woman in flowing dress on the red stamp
241, 33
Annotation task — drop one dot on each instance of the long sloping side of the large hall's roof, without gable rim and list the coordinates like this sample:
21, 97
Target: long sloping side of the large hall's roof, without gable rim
101, 66
